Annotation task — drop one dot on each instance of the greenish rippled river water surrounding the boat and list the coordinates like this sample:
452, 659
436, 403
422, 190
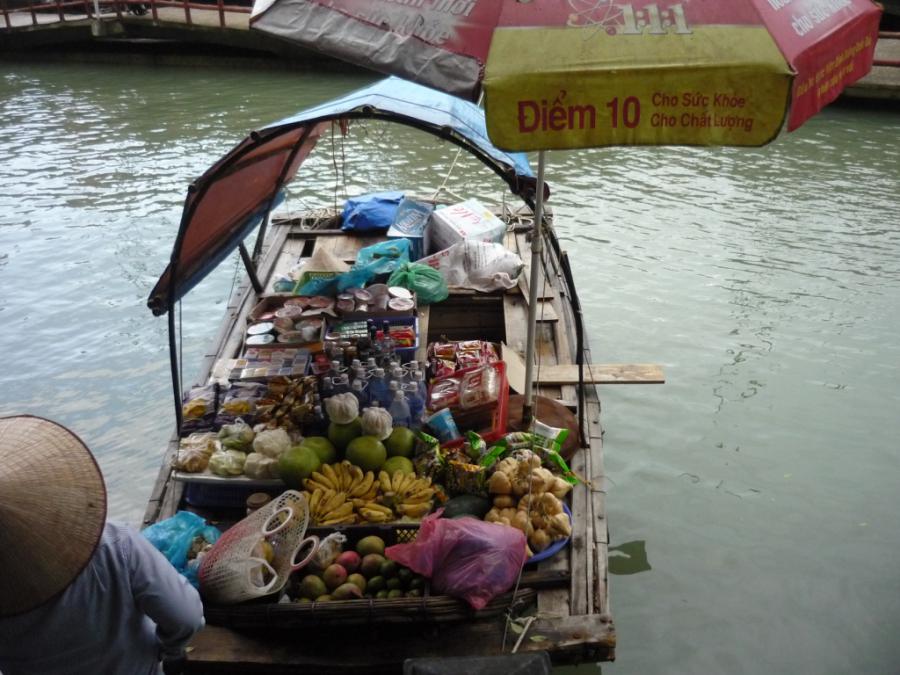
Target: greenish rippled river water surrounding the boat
752, 499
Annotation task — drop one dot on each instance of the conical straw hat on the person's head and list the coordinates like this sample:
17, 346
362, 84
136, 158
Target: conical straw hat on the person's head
52, 510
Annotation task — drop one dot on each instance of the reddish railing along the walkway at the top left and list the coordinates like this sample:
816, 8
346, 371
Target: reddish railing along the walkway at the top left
77, 10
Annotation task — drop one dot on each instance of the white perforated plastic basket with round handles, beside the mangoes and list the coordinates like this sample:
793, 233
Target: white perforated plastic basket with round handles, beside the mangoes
232, 570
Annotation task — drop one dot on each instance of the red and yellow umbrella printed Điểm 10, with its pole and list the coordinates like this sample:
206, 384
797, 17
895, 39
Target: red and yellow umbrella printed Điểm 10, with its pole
559, 74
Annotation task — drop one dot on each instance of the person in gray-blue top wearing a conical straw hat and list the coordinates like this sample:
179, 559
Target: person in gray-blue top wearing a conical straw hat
79, 594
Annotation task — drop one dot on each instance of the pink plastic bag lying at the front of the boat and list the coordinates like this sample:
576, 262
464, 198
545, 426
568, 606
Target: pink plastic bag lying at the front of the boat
464, 557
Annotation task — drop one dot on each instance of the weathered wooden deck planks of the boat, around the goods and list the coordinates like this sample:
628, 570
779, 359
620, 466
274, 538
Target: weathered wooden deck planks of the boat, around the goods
571, 616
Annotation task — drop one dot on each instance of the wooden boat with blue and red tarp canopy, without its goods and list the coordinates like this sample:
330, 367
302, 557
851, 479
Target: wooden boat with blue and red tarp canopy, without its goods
561, 605
